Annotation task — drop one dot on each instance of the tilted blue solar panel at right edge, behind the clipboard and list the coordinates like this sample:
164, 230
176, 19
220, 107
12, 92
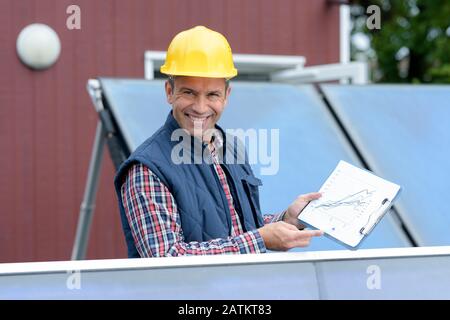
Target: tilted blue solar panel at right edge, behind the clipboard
403, 132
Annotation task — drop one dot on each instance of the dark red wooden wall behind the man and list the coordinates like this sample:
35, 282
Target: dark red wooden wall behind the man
47, 121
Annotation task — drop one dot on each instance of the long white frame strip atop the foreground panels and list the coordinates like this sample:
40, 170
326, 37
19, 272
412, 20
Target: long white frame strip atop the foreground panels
201, 261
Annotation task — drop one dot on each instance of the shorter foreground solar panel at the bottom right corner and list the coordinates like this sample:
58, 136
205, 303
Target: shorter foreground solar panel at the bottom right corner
391, 278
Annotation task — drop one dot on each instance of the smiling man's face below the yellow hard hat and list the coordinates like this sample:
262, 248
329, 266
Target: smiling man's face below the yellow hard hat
197, 102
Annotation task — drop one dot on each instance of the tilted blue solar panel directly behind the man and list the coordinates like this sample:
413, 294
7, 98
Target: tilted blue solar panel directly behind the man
292, 119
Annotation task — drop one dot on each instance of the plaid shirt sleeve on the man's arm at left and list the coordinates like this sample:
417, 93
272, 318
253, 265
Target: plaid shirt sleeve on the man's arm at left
155, 222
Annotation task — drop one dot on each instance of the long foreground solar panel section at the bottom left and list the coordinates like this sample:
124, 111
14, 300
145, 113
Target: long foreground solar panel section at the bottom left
219, 282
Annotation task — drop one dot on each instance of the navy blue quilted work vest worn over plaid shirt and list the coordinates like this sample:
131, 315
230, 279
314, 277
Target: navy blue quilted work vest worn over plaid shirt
194, 184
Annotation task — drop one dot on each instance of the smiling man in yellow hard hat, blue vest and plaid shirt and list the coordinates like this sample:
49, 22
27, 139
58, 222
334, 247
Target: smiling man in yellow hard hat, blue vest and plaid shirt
207, 202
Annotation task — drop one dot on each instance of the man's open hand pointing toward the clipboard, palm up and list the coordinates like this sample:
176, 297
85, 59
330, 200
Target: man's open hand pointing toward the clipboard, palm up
284, 236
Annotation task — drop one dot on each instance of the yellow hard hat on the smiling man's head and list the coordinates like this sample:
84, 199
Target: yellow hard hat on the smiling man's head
199, 52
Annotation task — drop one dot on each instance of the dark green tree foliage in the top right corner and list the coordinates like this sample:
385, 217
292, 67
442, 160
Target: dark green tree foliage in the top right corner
420, 29
